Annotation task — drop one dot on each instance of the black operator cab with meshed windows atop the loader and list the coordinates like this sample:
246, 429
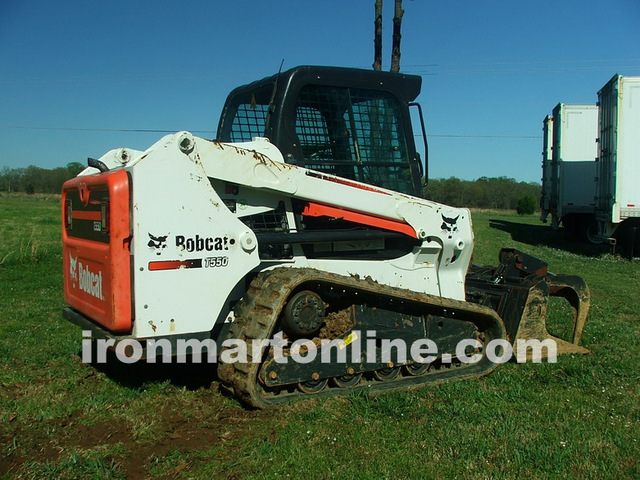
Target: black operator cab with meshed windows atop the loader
346, 122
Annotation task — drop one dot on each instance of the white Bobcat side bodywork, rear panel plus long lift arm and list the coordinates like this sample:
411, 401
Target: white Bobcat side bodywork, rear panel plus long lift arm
191, 253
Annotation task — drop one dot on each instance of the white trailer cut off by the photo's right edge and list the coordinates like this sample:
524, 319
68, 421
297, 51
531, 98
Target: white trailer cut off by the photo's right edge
618, 194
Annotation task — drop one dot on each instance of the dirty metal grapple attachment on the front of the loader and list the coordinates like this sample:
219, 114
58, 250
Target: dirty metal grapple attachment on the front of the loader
519, 289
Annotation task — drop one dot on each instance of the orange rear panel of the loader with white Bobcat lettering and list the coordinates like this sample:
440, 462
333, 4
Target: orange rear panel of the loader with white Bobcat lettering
96, 256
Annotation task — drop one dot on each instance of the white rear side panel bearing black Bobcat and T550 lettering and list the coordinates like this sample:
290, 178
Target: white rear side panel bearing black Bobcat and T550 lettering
172, 197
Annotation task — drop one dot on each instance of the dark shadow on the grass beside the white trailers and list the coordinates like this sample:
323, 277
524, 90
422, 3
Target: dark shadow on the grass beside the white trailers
544, 235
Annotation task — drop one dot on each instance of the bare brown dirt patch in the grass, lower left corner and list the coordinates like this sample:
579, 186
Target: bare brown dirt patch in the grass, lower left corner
191, 426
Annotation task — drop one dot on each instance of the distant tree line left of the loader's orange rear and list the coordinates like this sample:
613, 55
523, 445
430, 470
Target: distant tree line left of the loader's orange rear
37, 180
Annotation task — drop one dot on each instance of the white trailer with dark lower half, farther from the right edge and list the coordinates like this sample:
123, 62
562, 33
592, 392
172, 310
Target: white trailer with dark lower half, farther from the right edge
569, 187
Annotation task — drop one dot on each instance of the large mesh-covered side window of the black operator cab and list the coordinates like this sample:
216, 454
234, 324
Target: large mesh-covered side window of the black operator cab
353, 133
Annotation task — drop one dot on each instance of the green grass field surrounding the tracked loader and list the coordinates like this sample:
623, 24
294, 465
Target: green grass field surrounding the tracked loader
60, 418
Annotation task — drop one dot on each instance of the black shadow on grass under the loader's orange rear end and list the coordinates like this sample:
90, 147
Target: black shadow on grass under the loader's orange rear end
190, 375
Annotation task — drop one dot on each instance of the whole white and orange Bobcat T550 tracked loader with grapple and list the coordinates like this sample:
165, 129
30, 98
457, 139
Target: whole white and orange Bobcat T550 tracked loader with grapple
301, 226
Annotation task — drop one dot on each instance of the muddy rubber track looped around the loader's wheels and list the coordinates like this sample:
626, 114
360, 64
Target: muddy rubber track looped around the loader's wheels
258, 312
